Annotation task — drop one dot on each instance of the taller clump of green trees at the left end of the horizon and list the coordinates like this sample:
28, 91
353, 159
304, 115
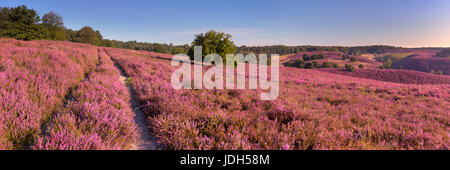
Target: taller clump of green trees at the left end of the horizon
25, 24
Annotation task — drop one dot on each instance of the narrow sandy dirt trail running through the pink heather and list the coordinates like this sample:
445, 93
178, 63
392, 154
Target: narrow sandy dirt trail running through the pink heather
145, 140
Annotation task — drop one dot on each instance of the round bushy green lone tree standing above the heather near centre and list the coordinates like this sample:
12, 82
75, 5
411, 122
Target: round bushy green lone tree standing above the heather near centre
213, 42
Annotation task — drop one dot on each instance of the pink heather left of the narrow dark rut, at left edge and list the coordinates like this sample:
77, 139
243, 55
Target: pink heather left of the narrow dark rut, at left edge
35, 77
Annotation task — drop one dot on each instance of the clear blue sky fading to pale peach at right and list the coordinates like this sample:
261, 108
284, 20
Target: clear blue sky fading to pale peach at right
410, 23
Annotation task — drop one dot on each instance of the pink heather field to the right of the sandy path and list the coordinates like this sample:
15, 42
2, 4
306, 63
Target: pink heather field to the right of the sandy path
315, 110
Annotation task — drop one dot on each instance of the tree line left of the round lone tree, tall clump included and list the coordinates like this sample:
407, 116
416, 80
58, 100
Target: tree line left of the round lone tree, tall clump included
25, 24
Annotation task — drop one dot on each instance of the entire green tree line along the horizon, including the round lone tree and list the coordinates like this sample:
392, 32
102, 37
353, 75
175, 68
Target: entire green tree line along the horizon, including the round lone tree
23, 23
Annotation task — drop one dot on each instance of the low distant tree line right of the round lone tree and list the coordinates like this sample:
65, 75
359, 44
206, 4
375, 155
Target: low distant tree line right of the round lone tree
283, 50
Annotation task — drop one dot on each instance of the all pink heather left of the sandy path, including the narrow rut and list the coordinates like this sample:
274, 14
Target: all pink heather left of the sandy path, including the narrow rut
62, 95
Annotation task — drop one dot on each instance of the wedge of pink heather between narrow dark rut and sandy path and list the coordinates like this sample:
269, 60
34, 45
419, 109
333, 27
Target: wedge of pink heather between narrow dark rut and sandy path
98, 117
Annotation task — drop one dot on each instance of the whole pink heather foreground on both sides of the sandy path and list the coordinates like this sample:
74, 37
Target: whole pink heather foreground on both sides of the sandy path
59, 95
